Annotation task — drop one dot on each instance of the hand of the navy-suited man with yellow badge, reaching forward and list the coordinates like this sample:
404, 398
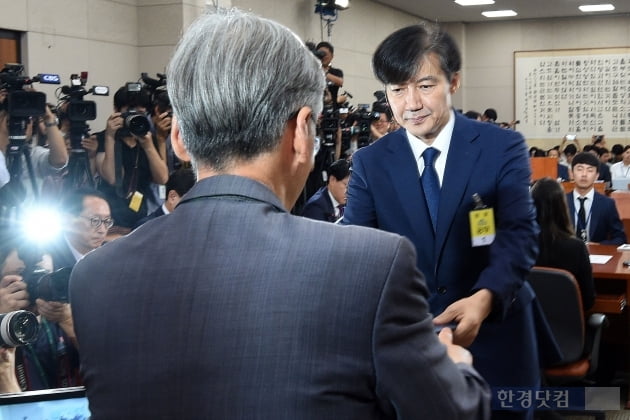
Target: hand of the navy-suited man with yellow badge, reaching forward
468, 313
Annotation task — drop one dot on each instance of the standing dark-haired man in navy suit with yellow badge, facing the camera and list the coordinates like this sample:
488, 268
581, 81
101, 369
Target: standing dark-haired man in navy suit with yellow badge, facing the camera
398, 184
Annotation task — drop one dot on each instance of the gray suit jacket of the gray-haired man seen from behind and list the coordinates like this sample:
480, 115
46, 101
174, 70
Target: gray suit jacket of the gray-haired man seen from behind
232, 308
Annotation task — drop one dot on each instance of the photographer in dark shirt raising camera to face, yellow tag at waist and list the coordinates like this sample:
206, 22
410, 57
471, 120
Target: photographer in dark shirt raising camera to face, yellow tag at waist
131, 160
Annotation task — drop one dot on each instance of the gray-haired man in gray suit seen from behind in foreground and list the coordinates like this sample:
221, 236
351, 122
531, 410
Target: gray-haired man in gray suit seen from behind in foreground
246, 311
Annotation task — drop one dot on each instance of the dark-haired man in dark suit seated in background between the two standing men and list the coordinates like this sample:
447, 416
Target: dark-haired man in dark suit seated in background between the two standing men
329, 202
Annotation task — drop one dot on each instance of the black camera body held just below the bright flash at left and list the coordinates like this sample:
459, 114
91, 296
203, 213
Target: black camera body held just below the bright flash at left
48, 286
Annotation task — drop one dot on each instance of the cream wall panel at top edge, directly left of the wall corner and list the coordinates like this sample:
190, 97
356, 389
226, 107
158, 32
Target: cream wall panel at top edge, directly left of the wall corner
112, 22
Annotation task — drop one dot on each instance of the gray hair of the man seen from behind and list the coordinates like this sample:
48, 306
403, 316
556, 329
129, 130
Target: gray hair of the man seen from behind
234, 81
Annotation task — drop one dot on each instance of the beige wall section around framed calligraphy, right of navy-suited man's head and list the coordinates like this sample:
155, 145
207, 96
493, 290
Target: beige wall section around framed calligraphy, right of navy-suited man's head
489, 57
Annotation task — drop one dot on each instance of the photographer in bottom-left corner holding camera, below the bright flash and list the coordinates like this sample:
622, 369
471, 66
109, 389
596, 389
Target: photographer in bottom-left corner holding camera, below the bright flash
52, 360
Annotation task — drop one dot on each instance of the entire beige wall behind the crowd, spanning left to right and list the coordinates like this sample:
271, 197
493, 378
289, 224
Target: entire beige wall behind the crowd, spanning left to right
116, 40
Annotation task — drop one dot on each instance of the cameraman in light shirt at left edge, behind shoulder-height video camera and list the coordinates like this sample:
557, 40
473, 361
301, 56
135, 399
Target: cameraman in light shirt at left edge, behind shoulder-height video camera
26, 162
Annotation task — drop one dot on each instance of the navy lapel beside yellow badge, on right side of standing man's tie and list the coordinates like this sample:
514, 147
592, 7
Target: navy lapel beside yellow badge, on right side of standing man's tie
462, 157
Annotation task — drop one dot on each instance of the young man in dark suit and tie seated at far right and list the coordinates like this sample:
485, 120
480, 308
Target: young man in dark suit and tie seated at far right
595, 216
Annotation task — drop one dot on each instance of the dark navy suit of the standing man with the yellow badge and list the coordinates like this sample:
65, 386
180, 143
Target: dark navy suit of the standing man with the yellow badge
385, 192
